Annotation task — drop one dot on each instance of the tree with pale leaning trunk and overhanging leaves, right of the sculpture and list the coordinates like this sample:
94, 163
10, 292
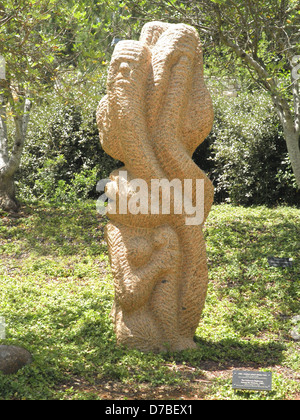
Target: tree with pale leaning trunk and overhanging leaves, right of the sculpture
263, 35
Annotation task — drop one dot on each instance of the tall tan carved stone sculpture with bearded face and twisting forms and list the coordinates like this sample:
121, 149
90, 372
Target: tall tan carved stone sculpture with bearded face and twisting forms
156, 112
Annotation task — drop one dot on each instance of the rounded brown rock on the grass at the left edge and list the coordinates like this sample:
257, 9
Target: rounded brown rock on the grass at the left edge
13, 358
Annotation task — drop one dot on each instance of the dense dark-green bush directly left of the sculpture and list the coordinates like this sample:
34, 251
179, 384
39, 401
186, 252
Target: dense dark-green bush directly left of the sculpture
63, 158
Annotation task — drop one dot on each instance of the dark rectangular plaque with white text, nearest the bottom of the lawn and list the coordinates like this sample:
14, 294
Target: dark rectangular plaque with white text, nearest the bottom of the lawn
246, 379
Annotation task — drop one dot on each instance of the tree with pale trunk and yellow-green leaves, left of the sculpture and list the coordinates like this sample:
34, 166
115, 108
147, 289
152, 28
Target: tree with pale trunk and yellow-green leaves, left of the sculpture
40, 40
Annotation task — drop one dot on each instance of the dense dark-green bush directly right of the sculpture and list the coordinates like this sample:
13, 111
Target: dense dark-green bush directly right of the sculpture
246, 155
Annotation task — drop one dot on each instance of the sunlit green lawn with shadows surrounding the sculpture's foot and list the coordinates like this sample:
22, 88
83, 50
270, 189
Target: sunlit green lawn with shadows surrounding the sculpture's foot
56, 294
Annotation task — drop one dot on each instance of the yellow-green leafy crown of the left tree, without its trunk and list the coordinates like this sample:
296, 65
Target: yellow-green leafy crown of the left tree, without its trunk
40, 40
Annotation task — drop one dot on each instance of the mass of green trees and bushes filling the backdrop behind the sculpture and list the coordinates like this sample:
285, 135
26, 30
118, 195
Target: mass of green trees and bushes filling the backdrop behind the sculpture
58, 54
